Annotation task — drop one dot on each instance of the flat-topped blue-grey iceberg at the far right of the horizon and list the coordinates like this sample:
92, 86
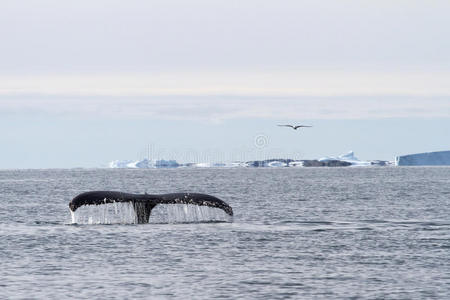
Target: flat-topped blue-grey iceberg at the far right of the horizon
439, 158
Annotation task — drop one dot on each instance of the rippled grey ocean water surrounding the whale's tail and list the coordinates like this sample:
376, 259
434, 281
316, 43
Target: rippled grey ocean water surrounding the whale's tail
322, 233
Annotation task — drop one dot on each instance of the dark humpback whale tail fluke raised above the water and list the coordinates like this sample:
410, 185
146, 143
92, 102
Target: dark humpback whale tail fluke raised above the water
144, 203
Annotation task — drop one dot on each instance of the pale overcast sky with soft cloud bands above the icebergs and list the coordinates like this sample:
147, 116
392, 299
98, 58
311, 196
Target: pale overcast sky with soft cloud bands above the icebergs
208, 75
